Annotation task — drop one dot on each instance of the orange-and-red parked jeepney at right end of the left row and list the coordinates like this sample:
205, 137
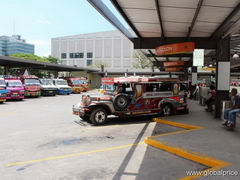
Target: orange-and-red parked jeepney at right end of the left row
78, 84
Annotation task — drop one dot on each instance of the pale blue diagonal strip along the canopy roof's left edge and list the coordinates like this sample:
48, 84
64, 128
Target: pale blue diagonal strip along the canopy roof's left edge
107, 14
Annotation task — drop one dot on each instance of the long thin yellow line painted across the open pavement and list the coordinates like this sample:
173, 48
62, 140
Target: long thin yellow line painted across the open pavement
73, 154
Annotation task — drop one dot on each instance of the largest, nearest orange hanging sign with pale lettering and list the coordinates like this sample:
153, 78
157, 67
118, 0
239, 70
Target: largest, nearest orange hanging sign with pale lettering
175, 48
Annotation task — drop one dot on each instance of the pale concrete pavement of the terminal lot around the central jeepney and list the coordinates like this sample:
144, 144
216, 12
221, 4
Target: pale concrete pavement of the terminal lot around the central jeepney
41, 139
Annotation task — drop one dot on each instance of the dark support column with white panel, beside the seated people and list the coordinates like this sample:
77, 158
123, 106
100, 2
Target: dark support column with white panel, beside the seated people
222, 74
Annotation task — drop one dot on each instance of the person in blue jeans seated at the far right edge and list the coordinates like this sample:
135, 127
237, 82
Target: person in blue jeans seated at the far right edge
230, 114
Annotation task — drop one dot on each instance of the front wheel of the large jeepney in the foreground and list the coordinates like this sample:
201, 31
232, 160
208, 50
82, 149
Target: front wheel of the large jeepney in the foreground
98, 116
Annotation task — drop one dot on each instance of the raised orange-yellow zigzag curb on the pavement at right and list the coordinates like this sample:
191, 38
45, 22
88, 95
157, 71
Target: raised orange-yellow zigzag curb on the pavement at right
210, 162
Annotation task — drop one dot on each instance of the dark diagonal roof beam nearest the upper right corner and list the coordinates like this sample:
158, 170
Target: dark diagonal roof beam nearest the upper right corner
228, 22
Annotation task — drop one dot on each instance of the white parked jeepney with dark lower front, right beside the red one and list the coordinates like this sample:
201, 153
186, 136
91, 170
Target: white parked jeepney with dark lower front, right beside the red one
47, 87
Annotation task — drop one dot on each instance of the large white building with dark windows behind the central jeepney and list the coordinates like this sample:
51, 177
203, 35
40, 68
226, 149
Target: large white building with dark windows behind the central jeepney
109, 48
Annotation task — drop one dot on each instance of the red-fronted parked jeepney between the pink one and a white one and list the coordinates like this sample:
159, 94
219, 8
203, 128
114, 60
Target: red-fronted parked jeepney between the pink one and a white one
31, 86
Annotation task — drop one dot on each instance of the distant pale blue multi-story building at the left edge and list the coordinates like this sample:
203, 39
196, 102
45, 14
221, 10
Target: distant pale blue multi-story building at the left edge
14, 44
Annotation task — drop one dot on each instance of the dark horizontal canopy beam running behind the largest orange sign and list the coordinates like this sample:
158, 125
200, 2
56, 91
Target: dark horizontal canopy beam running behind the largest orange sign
153, 42
